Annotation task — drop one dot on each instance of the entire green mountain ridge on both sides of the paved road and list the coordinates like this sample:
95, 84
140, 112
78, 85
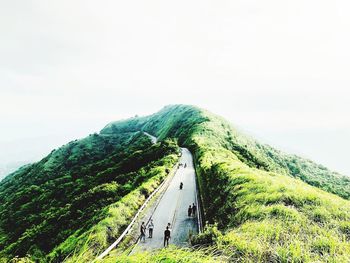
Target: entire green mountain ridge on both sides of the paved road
260, 205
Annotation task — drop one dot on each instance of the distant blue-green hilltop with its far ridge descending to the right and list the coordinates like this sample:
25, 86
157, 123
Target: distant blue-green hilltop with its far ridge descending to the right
187, 123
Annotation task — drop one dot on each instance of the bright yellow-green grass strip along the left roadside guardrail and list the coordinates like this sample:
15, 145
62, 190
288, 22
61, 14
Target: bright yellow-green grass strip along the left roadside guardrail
89, 245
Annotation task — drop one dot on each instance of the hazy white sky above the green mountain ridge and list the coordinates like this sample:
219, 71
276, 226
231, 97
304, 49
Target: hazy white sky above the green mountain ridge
278, 69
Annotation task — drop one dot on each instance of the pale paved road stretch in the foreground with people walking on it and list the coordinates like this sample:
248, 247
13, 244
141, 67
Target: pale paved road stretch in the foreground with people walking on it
172, 208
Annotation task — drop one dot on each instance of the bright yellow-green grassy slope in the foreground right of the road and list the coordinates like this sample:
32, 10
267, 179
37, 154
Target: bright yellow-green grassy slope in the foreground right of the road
271, 217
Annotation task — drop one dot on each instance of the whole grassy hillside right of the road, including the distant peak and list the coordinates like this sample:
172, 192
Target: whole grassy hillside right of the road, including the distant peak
256, 195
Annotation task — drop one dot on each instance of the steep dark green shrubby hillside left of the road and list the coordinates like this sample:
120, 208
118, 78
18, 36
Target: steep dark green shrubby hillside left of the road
68, 192
